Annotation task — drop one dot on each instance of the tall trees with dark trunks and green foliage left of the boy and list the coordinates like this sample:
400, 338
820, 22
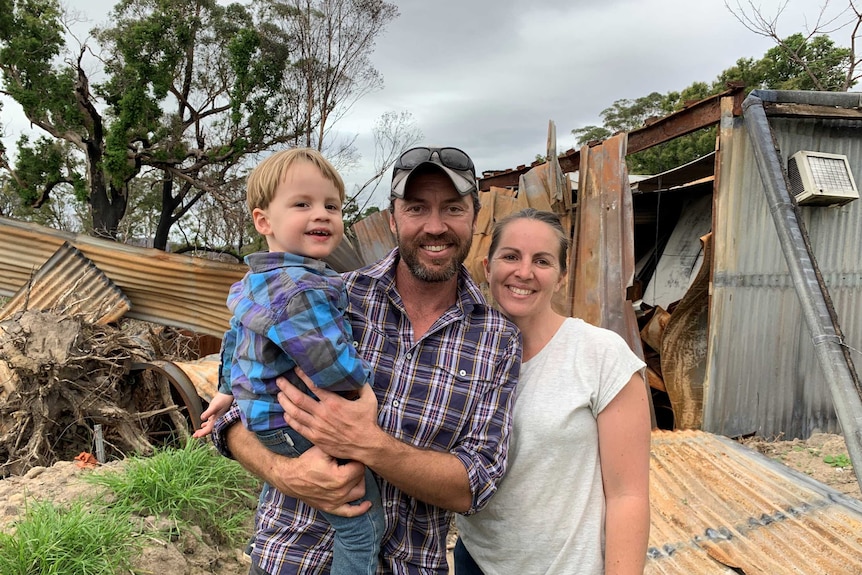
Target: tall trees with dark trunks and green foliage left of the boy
194, 92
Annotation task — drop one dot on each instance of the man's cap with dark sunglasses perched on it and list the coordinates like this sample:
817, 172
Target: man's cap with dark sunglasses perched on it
454, 162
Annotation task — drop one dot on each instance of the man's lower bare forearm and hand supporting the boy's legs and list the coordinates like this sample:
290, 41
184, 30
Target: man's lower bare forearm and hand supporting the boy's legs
314, 477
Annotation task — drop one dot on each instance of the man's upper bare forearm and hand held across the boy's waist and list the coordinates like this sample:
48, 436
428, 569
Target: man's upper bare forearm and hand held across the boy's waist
349, 429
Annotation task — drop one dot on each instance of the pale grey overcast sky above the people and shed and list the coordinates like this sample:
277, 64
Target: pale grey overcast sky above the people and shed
488, 75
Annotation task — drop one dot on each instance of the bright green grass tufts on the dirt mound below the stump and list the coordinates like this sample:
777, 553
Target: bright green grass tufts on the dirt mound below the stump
190, 486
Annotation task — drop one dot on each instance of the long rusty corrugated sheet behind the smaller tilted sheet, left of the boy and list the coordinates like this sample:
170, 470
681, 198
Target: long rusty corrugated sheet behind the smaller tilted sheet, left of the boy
164, 288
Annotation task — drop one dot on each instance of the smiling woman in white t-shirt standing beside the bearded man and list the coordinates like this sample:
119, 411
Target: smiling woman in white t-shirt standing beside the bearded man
575, 498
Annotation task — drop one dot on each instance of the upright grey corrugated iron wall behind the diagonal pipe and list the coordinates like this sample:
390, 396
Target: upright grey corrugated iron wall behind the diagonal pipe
763, 376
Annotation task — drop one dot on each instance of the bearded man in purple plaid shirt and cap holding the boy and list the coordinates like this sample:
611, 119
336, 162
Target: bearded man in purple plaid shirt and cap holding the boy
435, 428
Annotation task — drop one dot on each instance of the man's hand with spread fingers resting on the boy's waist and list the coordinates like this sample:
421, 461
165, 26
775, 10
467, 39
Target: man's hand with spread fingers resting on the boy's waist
341, 428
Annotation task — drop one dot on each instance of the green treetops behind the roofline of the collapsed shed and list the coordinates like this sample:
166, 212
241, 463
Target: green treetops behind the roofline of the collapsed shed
796, 63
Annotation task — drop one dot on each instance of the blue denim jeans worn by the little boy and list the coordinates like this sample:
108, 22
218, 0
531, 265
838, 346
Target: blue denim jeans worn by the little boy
356, 546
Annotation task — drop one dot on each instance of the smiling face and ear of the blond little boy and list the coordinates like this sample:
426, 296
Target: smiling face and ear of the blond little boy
304, 216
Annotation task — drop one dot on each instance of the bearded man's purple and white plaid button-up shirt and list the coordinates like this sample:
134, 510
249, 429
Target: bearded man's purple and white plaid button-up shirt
450, 391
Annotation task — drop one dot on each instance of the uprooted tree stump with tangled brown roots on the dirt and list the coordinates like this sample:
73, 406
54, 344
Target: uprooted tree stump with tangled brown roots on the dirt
60, 376
